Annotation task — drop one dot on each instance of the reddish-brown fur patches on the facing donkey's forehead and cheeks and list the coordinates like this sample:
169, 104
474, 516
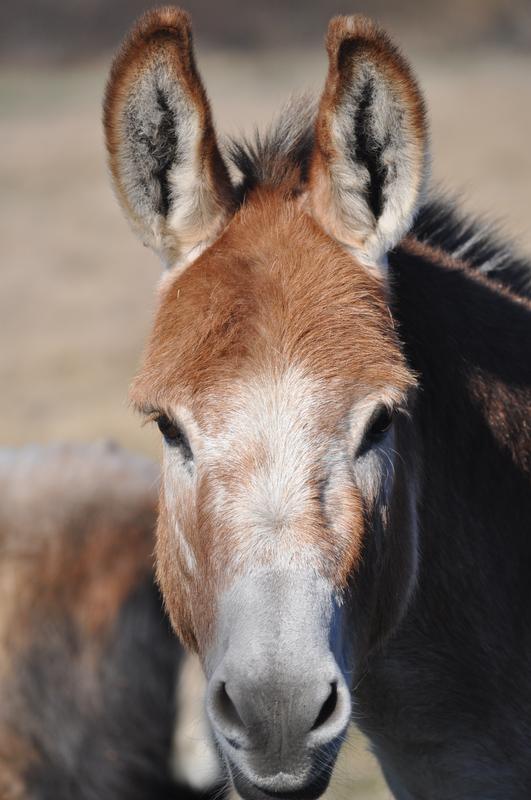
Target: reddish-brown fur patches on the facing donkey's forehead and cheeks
273, 291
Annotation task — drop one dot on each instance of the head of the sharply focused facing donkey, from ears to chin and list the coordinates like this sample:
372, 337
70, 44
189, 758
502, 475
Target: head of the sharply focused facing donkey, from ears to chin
286, 536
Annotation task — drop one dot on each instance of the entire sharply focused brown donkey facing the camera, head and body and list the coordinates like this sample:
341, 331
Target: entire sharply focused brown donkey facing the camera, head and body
340, 370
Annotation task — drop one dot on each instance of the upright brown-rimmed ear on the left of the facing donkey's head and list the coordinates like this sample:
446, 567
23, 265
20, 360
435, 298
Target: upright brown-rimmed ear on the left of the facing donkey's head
165, 163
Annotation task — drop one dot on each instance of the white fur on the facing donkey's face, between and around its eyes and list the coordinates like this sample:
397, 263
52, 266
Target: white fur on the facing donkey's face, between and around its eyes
273, 447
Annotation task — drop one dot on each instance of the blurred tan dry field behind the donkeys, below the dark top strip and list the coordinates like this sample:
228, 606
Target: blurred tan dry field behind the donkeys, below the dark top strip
76, 292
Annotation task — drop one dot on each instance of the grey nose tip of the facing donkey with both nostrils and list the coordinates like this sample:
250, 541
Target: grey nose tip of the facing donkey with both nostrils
279, 716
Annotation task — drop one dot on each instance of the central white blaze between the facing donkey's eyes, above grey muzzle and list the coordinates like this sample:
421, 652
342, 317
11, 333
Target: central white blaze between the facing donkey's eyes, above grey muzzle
276, 419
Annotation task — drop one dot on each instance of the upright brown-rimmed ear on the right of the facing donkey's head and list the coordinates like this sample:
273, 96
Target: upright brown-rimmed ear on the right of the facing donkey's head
369, 163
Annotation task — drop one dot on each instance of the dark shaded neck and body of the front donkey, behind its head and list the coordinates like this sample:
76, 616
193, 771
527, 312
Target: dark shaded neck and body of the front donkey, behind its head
458, 662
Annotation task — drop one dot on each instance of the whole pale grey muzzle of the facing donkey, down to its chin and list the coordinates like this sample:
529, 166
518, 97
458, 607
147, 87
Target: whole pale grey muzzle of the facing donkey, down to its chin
278, 699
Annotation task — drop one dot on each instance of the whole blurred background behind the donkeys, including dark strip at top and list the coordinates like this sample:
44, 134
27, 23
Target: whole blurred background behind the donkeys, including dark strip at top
76, 289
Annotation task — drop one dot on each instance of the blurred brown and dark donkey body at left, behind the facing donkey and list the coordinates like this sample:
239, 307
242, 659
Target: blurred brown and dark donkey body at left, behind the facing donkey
88, 662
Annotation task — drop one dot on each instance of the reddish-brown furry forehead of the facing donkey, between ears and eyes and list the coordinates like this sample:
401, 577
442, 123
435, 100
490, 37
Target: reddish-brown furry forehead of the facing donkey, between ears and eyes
273, 296
